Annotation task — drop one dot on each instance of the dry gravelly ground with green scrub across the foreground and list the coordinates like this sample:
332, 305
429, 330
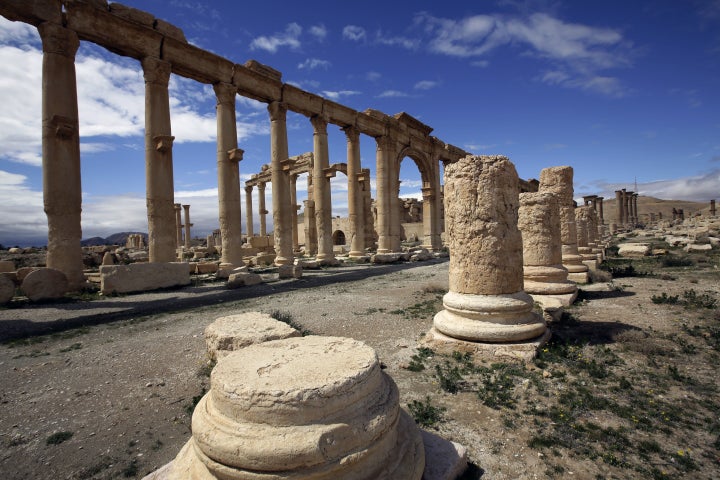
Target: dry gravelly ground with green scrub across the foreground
104, 388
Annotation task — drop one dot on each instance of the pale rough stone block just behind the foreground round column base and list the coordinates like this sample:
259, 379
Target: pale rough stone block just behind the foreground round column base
227, 334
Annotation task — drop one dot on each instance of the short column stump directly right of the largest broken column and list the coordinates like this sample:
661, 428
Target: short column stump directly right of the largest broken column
544, 276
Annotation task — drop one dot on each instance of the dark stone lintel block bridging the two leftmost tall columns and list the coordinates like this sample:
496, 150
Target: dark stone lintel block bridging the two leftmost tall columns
113, 32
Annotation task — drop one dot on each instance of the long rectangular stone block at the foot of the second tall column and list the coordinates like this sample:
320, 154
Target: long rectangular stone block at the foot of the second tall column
139, 277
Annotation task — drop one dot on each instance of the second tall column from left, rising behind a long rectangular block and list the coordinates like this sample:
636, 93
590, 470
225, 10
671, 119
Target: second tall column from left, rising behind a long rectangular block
158, 162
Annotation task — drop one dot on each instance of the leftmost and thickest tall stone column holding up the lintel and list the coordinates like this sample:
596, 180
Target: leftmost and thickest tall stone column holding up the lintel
62, 191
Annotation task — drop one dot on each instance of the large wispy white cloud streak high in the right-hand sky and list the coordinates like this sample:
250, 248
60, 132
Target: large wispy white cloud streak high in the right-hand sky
579, 54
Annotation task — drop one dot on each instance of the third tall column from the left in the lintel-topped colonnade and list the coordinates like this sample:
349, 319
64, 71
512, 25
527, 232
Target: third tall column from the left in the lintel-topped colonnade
228, 160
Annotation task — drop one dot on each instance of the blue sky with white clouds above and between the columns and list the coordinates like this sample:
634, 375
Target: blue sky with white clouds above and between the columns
622, 91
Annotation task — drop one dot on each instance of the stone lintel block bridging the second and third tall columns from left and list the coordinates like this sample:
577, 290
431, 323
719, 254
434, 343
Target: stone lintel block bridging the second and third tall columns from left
192, 62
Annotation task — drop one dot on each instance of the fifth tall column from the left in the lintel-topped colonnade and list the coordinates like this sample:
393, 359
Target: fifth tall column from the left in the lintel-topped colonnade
322, 193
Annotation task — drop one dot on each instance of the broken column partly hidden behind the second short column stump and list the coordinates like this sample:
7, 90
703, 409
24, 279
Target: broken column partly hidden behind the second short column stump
559, 181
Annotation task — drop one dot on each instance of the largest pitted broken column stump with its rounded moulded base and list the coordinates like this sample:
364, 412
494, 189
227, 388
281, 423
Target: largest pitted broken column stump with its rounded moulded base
486, 301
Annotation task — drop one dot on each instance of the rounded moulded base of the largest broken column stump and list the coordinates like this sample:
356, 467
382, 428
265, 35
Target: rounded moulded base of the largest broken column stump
489, 318
